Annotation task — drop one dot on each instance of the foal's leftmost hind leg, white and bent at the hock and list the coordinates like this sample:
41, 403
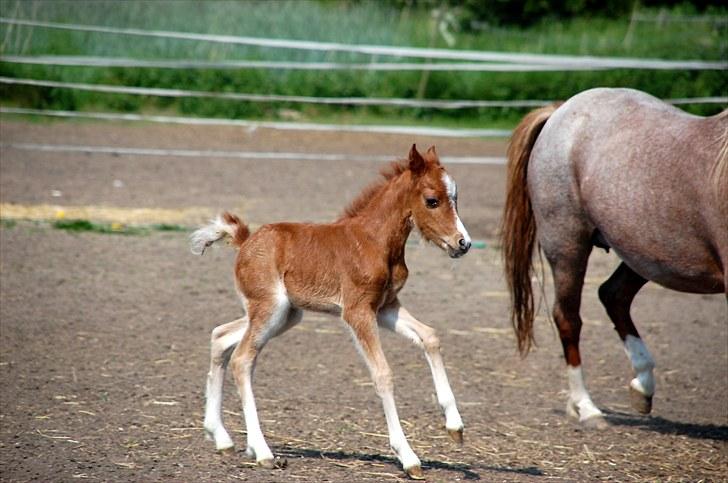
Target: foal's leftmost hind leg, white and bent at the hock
224, 338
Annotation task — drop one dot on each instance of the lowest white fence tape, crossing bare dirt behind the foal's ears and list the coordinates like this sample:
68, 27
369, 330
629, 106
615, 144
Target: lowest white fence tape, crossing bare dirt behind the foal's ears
214, 153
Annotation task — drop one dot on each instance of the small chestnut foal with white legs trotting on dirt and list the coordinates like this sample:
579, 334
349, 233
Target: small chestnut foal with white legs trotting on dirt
354, 268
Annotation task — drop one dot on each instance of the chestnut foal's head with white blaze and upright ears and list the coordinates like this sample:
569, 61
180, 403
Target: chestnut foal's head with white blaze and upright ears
433, 201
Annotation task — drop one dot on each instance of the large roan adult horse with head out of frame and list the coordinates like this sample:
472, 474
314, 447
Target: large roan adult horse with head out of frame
619, 169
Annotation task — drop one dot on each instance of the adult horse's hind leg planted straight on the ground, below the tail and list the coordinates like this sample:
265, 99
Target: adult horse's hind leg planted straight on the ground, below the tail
569, 268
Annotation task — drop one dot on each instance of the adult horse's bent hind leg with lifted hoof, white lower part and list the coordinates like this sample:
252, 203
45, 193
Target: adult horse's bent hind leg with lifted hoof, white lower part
616, 295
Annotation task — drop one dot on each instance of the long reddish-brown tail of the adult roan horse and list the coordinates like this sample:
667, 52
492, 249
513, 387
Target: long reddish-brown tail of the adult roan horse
518, 229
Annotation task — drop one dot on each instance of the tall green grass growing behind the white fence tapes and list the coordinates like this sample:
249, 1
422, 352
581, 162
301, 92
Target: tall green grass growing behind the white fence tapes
347, 22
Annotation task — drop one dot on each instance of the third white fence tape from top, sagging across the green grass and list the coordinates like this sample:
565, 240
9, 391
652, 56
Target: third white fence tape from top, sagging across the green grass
354, 101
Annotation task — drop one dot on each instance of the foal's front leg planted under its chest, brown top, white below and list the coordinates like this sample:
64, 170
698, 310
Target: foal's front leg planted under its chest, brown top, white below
362, 322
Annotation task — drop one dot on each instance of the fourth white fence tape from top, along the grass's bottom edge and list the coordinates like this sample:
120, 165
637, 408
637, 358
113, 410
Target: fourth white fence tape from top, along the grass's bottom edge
253, 125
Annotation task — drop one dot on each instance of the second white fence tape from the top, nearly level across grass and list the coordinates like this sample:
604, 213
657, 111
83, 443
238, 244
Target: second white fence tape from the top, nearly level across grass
89, 61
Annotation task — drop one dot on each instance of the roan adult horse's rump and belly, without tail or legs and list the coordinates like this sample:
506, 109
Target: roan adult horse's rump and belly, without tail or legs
640, 172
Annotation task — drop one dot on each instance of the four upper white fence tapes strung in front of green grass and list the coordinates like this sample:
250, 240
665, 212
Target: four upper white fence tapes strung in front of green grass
477, 61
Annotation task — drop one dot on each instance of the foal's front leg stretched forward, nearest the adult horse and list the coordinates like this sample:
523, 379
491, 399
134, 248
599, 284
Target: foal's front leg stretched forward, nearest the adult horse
398, 319
